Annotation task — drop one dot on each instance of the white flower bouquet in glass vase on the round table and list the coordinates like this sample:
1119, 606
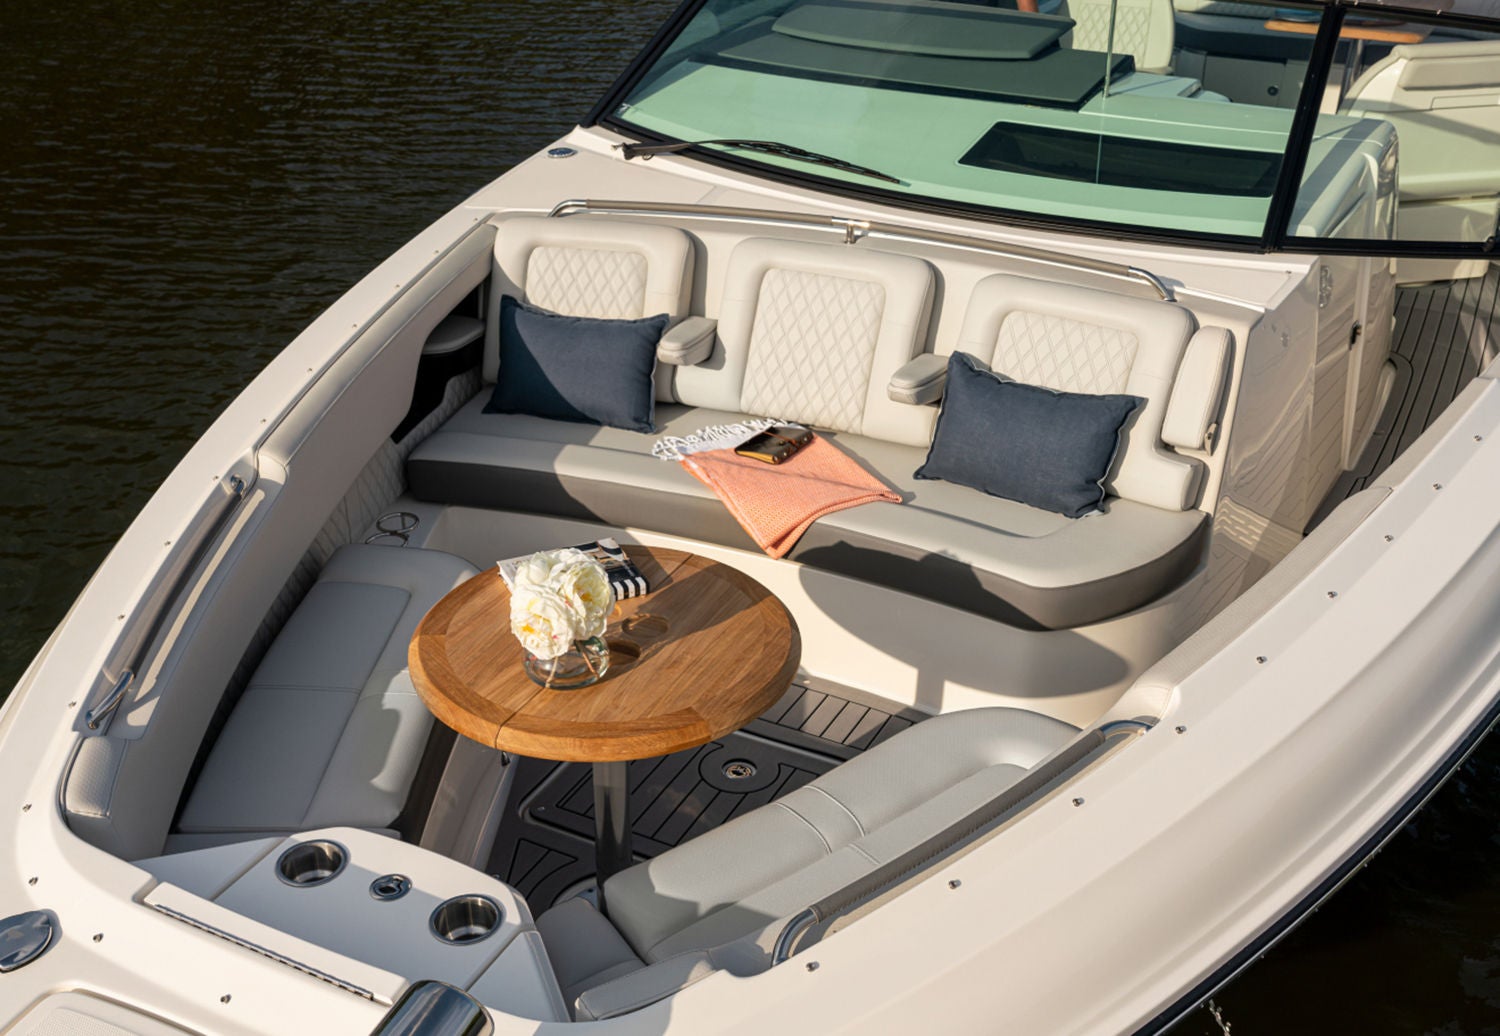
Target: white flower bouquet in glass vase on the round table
557, 599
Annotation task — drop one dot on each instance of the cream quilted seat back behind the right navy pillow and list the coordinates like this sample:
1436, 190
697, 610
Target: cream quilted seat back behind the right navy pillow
1085, 341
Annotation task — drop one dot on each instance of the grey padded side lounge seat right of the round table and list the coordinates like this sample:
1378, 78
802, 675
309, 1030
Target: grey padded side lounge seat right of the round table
695, 908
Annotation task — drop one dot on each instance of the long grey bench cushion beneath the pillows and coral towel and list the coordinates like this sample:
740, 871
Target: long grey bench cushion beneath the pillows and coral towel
949, 543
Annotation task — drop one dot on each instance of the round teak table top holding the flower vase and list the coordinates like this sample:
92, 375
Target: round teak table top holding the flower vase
703, 654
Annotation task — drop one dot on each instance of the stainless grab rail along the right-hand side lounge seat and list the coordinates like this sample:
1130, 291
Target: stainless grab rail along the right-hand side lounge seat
955, 836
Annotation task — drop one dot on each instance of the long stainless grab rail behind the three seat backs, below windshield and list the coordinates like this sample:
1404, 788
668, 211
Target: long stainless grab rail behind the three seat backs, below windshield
856, 229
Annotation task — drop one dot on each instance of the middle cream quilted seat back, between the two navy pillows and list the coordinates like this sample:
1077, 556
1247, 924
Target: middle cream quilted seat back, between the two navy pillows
814, 334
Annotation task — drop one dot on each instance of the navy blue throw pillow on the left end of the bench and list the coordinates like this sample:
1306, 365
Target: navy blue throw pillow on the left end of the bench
577, 368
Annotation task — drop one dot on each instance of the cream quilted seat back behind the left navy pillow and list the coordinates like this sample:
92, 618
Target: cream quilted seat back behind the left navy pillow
589, 268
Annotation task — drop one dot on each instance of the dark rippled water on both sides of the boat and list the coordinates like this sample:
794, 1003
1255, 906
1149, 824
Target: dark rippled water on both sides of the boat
184, 187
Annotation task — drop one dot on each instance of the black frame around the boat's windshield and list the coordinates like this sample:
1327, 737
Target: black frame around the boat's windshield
1276, 235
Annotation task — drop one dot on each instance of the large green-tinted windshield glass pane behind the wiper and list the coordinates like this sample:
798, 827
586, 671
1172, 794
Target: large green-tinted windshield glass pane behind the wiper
1141, 113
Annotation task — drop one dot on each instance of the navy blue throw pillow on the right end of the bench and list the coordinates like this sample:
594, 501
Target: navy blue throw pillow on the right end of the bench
1024, 443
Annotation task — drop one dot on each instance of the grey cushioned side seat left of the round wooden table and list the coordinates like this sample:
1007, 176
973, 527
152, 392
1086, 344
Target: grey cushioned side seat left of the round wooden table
329, 729
